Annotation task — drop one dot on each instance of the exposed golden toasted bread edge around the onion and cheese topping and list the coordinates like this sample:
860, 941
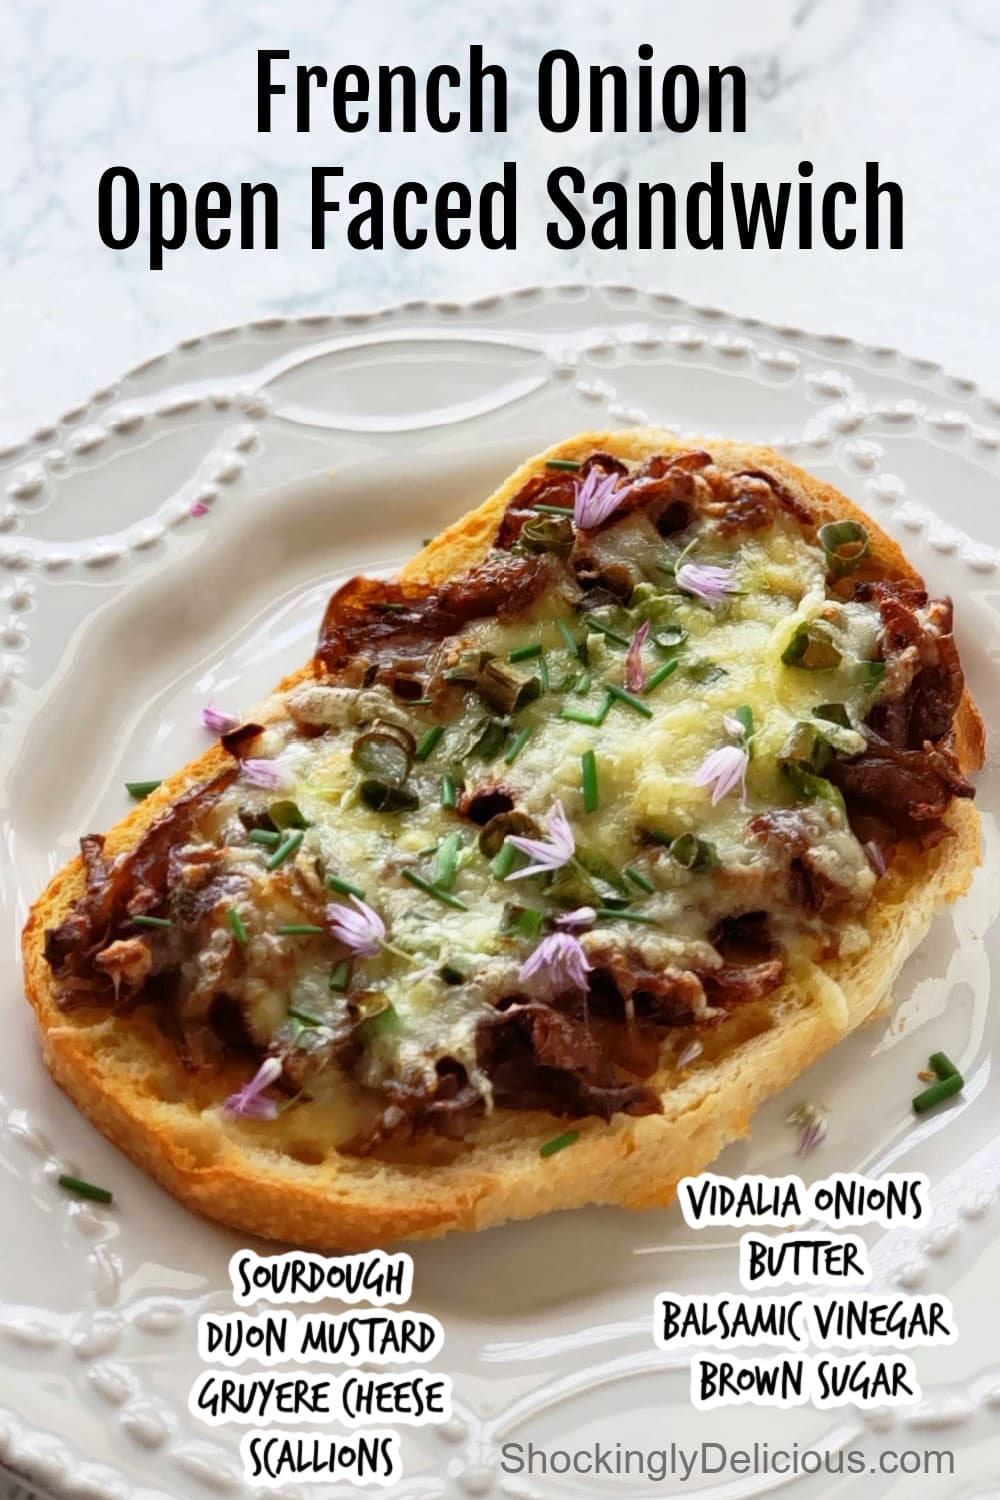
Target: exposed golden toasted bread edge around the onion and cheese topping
131, 1085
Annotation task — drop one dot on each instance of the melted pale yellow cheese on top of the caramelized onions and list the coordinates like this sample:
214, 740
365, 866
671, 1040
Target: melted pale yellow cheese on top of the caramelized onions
449, 964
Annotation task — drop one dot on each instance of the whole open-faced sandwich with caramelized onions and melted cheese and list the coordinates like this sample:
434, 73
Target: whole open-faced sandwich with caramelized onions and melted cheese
569, 848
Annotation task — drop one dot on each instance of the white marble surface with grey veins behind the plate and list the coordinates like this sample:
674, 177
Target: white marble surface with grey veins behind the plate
170, 89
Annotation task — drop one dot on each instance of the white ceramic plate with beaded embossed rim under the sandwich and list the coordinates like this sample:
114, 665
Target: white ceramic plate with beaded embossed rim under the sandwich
311, 449
